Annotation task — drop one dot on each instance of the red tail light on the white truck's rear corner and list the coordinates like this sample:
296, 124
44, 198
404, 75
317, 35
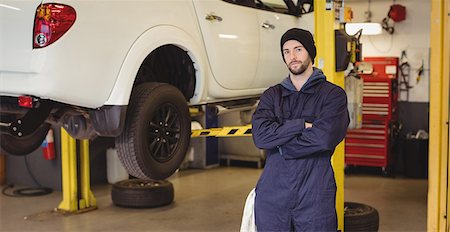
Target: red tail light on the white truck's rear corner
52, 20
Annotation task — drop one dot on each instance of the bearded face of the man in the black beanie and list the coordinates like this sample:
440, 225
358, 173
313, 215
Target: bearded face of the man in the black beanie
296, 57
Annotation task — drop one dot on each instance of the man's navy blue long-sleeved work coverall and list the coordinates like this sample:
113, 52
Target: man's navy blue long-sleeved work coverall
297, 189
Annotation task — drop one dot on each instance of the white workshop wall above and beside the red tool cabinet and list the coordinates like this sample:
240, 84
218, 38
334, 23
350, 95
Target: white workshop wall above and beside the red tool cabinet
411, 35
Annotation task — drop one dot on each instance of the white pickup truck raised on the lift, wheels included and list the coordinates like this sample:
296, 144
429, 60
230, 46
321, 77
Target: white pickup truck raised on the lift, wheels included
130, 69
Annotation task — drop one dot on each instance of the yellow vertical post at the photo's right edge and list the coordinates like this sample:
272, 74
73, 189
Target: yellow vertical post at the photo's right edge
439, 158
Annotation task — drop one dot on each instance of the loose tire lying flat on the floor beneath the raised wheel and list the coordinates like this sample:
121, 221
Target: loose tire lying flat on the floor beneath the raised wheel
137, 193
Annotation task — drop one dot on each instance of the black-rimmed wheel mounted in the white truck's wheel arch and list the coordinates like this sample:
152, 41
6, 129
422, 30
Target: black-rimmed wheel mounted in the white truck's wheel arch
157, 131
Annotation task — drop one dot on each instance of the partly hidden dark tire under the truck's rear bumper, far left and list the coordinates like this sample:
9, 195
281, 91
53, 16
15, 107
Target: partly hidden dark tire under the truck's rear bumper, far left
26, 144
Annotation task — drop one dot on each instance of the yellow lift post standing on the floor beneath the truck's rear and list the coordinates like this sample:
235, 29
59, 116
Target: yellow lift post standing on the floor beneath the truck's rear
75, 200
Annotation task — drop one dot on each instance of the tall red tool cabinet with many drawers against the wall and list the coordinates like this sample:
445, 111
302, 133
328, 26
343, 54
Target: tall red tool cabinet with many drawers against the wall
370, 145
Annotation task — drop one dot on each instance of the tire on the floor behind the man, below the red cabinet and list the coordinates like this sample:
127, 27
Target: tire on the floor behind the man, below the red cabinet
360, 217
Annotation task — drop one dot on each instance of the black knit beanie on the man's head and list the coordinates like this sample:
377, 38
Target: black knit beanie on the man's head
304, 37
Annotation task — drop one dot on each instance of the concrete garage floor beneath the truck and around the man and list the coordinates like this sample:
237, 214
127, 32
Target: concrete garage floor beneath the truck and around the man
210, 200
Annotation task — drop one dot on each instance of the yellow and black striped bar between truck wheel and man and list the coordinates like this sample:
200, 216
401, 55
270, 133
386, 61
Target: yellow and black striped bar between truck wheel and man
229, 131
